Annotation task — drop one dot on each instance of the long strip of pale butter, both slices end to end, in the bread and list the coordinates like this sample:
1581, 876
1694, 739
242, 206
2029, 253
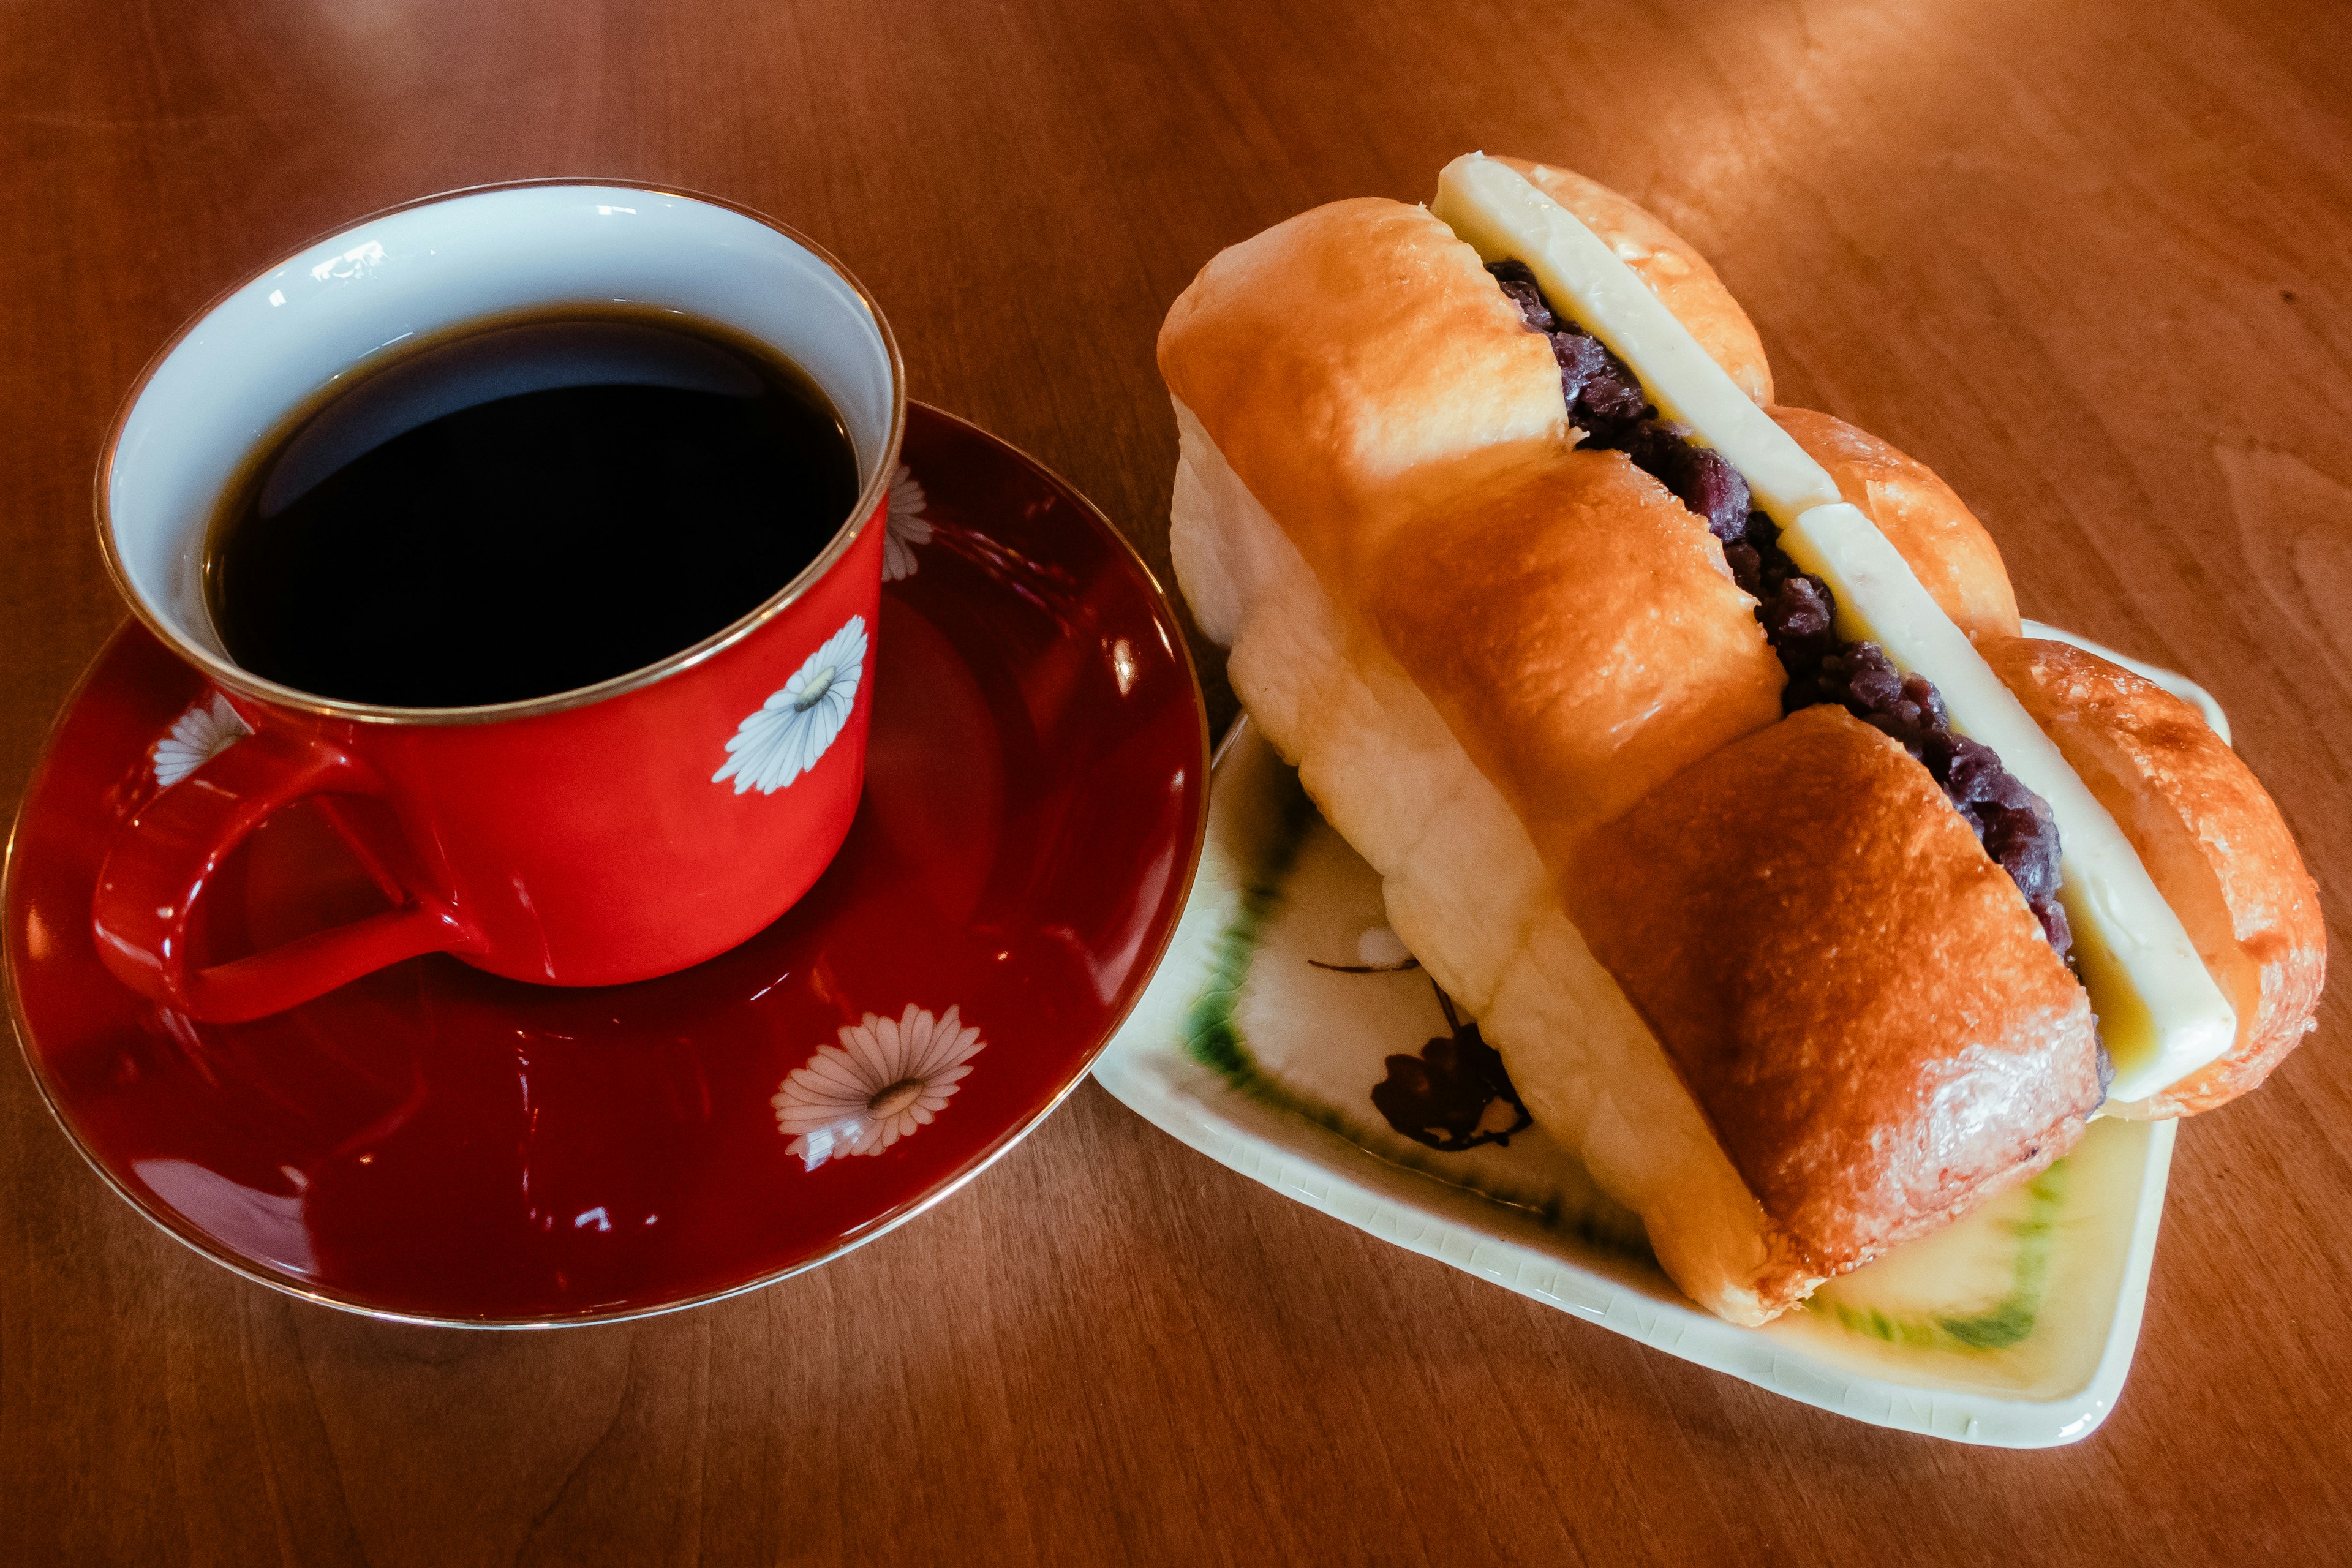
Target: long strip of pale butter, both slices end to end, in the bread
2158, 1007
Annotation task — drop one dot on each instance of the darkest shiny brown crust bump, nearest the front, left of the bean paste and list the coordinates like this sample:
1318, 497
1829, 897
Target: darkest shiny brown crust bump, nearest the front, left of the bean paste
1855, 993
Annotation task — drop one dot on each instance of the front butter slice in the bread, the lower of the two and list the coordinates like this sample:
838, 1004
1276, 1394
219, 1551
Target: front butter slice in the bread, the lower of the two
2158, 1010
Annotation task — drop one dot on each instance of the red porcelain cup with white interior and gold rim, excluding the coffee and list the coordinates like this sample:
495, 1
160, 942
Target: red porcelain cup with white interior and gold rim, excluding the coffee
582, 838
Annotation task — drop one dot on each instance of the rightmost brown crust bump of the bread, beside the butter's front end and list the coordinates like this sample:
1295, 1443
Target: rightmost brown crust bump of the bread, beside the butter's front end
2210, 838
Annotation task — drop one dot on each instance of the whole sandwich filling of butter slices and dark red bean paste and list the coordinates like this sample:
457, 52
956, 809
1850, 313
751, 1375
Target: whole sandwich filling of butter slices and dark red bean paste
1838, 587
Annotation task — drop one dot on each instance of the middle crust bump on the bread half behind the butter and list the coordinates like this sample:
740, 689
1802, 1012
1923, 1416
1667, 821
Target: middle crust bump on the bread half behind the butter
1946, 547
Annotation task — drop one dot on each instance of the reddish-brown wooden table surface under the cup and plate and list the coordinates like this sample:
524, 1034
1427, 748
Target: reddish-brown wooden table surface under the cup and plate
2092, 262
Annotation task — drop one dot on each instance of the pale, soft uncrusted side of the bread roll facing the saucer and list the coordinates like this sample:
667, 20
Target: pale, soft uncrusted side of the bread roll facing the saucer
1466, 887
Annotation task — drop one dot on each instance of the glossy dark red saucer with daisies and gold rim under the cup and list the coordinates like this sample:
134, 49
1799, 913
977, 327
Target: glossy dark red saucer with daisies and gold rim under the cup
439, 1144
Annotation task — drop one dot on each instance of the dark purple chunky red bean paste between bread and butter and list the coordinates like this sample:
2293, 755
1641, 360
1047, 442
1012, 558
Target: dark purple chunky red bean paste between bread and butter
1798, 610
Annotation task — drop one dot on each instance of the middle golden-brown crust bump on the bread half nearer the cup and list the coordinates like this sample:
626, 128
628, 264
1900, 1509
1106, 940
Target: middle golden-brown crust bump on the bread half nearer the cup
1579, 631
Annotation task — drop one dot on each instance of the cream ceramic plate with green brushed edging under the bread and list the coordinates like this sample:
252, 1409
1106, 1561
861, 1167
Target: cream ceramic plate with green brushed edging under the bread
1281, 1005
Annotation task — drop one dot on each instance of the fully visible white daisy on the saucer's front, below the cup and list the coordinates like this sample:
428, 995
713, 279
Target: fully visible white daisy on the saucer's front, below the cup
886, 1080
